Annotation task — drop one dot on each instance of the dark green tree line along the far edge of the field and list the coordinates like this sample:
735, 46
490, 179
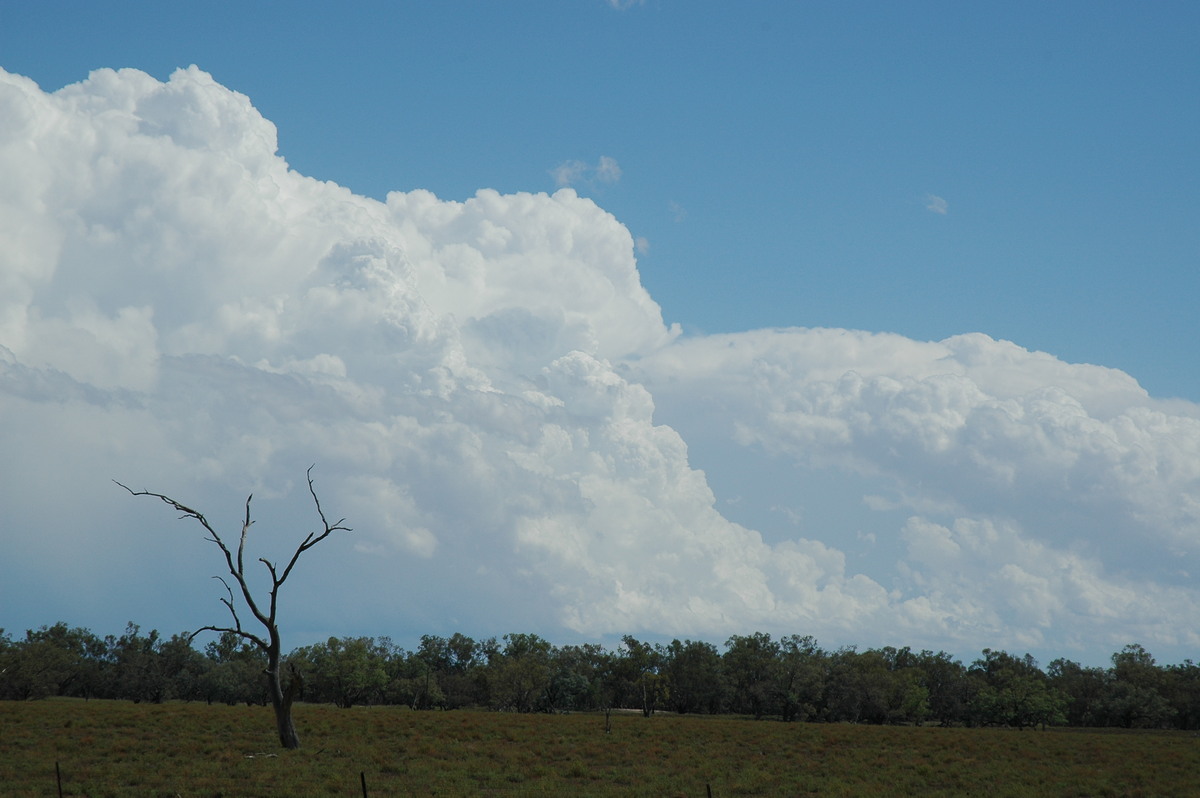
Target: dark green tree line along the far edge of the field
791, 679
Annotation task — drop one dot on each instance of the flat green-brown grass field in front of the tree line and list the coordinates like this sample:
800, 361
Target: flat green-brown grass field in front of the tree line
107, 748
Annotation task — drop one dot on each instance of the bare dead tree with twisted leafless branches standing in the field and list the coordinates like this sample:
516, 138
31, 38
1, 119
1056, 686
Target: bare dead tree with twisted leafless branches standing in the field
283, 695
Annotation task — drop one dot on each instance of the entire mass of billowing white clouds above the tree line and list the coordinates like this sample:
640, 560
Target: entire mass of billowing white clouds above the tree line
488, 388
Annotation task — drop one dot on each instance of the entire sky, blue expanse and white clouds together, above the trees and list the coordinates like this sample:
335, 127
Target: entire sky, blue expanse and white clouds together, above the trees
867, 321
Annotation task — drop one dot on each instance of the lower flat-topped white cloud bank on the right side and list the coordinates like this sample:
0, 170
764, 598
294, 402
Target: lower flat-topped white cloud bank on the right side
1055, 501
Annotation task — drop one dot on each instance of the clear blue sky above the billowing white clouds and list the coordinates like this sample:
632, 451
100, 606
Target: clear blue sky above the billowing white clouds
778, 158
